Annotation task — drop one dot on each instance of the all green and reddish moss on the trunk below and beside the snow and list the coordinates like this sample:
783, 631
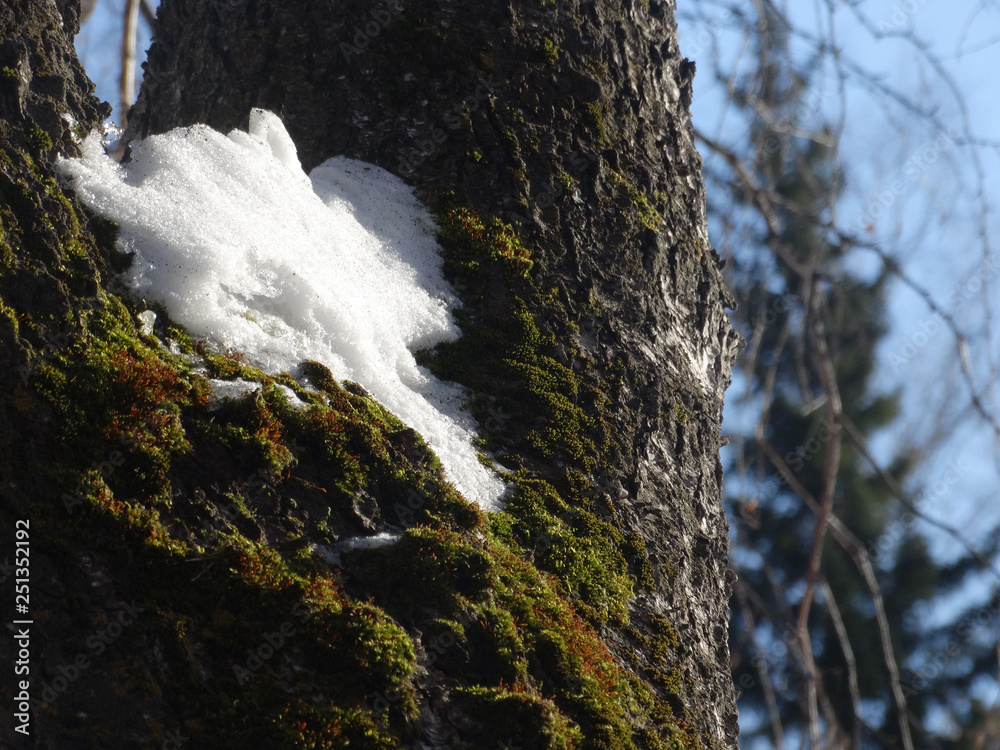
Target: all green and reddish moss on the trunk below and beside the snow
230, 555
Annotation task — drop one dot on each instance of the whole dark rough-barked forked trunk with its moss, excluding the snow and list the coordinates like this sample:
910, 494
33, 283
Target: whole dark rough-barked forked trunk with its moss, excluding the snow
552, 140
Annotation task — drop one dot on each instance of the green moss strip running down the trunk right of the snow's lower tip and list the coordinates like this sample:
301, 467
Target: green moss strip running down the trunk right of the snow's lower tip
536, 396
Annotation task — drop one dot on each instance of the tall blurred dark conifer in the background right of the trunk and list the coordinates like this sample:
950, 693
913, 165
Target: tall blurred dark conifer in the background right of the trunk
813, 325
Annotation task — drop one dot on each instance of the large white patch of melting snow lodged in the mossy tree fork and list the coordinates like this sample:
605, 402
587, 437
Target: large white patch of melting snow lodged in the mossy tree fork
250, 254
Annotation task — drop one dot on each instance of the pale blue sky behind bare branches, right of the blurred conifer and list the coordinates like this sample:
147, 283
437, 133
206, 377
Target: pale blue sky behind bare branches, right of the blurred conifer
924, 187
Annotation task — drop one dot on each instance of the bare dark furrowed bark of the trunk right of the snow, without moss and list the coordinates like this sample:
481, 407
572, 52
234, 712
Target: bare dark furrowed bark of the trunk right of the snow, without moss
568, 124
